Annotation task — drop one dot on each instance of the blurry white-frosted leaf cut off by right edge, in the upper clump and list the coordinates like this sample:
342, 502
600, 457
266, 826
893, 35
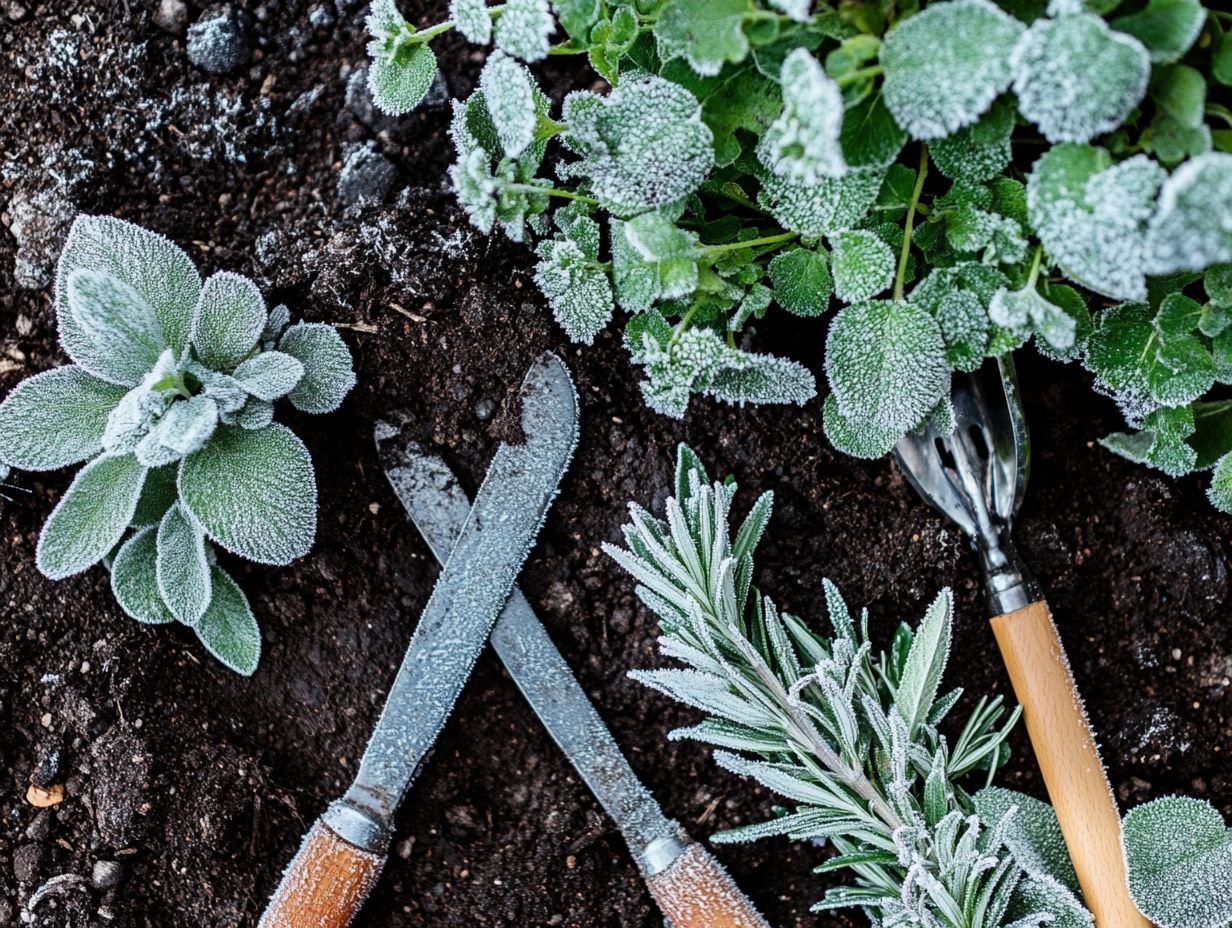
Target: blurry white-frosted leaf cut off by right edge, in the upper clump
1192, 227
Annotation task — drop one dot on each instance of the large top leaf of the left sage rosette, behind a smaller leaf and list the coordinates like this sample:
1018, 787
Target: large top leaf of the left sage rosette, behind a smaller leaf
151, 264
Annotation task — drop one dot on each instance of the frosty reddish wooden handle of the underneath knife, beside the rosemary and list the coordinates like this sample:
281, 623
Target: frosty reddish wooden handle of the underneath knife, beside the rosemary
695, 892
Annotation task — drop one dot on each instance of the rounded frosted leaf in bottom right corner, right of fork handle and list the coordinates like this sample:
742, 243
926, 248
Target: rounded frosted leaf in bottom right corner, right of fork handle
1180, 857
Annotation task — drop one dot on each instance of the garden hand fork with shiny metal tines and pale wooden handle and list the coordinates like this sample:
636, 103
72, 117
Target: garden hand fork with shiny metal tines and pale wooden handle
978, 476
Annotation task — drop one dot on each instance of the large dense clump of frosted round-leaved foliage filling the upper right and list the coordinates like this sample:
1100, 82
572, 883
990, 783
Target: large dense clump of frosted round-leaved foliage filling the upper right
995, 172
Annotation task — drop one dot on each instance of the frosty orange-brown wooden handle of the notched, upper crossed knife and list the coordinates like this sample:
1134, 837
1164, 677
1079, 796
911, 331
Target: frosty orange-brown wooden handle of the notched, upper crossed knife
326, 885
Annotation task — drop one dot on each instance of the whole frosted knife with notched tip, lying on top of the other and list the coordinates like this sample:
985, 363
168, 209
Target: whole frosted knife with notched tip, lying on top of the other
343, 855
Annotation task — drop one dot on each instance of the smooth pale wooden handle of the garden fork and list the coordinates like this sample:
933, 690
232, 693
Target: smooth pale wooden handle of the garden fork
1069, 760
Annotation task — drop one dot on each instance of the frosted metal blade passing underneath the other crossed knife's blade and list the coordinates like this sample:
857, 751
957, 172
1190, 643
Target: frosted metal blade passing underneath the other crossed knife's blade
438, 507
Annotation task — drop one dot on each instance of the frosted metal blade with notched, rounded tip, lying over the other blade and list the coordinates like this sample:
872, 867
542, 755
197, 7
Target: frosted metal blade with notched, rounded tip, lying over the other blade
471, 591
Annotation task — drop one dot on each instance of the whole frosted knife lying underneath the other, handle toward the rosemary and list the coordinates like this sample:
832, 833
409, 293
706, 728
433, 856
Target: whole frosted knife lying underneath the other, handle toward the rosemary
689, 884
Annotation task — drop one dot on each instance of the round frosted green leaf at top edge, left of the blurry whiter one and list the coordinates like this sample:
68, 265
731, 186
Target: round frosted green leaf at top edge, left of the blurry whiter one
946, 66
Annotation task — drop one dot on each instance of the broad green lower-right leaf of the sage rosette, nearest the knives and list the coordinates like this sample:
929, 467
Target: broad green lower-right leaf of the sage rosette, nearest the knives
254, 494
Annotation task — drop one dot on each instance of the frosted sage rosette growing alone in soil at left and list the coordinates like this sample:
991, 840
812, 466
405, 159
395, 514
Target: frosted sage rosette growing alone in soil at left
169, 402
